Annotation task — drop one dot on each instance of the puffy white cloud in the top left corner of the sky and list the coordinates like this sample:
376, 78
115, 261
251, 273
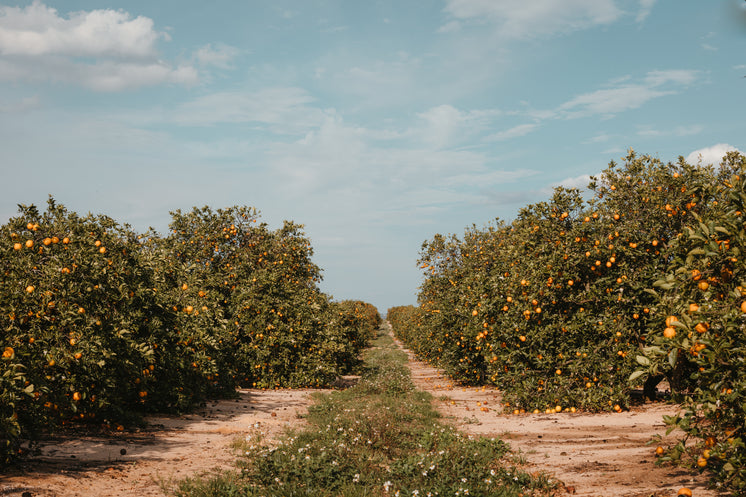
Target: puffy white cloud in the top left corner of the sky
104, 50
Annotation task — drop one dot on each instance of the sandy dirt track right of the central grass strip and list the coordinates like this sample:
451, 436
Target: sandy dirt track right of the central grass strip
593, 454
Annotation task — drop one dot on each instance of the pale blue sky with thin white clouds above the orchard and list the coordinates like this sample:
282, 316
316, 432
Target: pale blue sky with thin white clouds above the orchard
376, 124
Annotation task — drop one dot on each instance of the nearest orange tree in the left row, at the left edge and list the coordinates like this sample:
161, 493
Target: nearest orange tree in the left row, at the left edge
68, 334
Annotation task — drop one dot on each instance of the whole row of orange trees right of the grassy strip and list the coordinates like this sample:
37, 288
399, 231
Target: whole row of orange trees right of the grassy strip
558, 308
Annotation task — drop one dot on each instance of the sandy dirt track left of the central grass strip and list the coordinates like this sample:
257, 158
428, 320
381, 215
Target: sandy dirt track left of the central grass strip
171, 448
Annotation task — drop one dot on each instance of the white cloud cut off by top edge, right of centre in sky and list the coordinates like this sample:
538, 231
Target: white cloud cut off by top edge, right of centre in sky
534, 19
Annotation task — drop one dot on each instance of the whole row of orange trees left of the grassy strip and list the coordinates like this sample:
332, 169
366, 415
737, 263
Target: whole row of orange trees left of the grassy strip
102, 324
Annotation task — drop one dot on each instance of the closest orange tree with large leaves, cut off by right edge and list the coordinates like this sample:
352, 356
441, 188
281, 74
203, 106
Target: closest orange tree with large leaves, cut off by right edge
697, 333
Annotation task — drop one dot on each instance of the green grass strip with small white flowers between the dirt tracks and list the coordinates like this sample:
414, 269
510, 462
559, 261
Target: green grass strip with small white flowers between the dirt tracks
381, 437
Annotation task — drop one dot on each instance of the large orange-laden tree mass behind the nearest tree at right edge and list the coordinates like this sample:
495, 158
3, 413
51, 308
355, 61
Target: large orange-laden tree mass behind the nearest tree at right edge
553, 307
